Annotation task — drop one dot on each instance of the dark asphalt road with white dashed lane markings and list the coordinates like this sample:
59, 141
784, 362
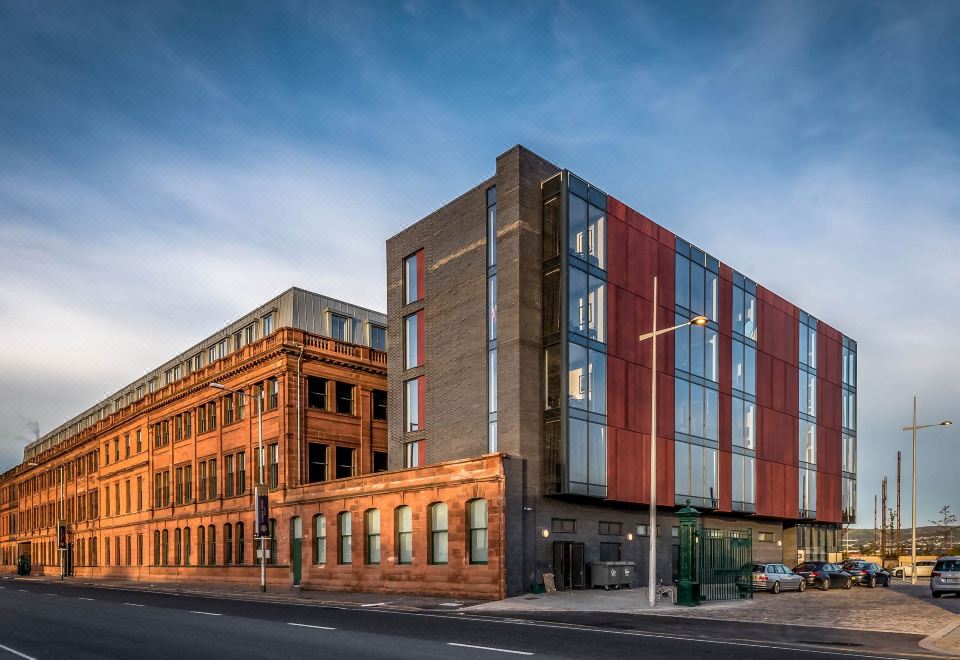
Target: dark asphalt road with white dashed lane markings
48, 620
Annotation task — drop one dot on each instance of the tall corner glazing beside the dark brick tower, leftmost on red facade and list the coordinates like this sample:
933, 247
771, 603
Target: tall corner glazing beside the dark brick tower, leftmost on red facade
574, 289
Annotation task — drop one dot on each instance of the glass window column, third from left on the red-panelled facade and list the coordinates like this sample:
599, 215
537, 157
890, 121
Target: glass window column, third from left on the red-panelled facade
744, 391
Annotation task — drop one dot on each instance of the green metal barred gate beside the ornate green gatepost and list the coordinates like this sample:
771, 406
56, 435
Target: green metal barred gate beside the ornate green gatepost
724, 563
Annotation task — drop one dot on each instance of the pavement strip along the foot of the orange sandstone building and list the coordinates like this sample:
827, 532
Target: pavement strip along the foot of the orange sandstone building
274, 593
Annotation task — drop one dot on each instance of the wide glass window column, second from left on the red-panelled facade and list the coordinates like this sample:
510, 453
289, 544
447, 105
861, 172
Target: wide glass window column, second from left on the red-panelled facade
696, 378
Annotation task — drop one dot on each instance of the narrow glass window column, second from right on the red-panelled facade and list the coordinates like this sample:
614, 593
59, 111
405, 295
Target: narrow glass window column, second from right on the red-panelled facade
807, 481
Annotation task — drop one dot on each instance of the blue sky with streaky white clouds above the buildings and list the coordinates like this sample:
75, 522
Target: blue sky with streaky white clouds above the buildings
166, 167
